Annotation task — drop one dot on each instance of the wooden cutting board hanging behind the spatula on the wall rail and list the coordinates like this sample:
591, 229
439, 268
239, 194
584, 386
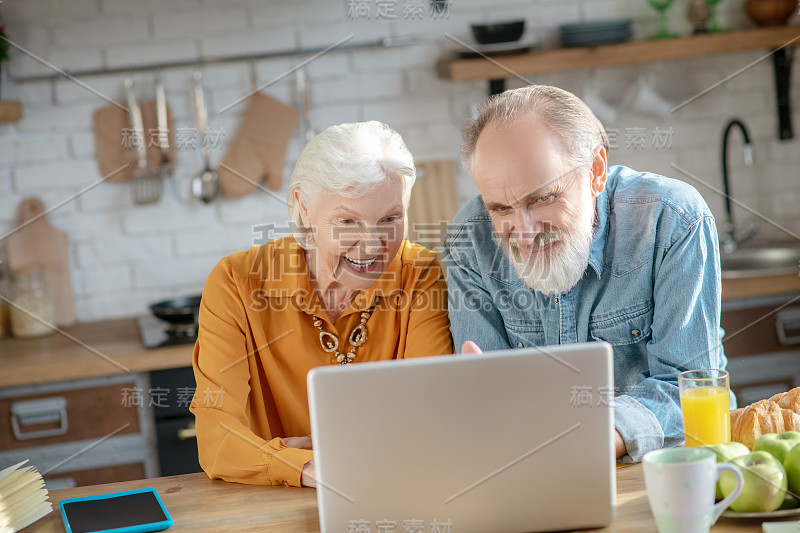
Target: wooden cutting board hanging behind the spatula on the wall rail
111, 127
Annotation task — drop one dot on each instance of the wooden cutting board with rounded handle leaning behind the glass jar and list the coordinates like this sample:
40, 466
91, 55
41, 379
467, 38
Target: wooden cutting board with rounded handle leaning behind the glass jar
38, 244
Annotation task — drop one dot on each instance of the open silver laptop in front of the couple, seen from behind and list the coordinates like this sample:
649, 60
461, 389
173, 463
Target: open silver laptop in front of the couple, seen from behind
508, 441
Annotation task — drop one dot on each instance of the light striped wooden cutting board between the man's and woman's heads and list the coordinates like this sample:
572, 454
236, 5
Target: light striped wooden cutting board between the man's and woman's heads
433, 202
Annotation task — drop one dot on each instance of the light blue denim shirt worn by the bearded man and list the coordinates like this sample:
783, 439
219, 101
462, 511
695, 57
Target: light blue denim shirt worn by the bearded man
651, 289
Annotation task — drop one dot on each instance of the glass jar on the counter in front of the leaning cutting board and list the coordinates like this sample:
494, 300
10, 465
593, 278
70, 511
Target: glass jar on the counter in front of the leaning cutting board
31, 297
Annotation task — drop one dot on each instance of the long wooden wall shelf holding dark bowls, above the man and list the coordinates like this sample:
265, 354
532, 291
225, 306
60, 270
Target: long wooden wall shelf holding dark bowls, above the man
618, 54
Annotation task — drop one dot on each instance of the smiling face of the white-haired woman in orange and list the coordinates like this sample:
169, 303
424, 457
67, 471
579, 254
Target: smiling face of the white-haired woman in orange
355, 239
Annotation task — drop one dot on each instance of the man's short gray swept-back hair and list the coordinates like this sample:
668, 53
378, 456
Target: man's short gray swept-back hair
564, 114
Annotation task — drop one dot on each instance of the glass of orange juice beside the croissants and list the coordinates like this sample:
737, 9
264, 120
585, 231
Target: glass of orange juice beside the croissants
705, 403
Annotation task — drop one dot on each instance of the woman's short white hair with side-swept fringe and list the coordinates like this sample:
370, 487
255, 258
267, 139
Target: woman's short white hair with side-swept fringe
348, 160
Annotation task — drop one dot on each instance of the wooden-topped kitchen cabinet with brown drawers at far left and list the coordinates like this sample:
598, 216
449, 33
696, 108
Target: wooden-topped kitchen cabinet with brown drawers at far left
79, 405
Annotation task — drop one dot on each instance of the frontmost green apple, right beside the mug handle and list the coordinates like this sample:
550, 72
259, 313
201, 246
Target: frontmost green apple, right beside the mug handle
765, 482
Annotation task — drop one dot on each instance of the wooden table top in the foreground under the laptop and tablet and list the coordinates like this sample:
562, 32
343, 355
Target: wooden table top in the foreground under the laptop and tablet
198, 504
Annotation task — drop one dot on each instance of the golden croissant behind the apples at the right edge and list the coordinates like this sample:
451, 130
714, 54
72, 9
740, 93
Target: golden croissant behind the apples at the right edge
766, 416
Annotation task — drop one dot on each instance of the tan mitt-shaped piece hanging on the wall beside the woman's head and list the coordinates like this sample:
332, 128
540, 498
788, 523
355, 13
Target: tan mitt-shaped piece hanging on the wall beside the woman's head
258, 152
